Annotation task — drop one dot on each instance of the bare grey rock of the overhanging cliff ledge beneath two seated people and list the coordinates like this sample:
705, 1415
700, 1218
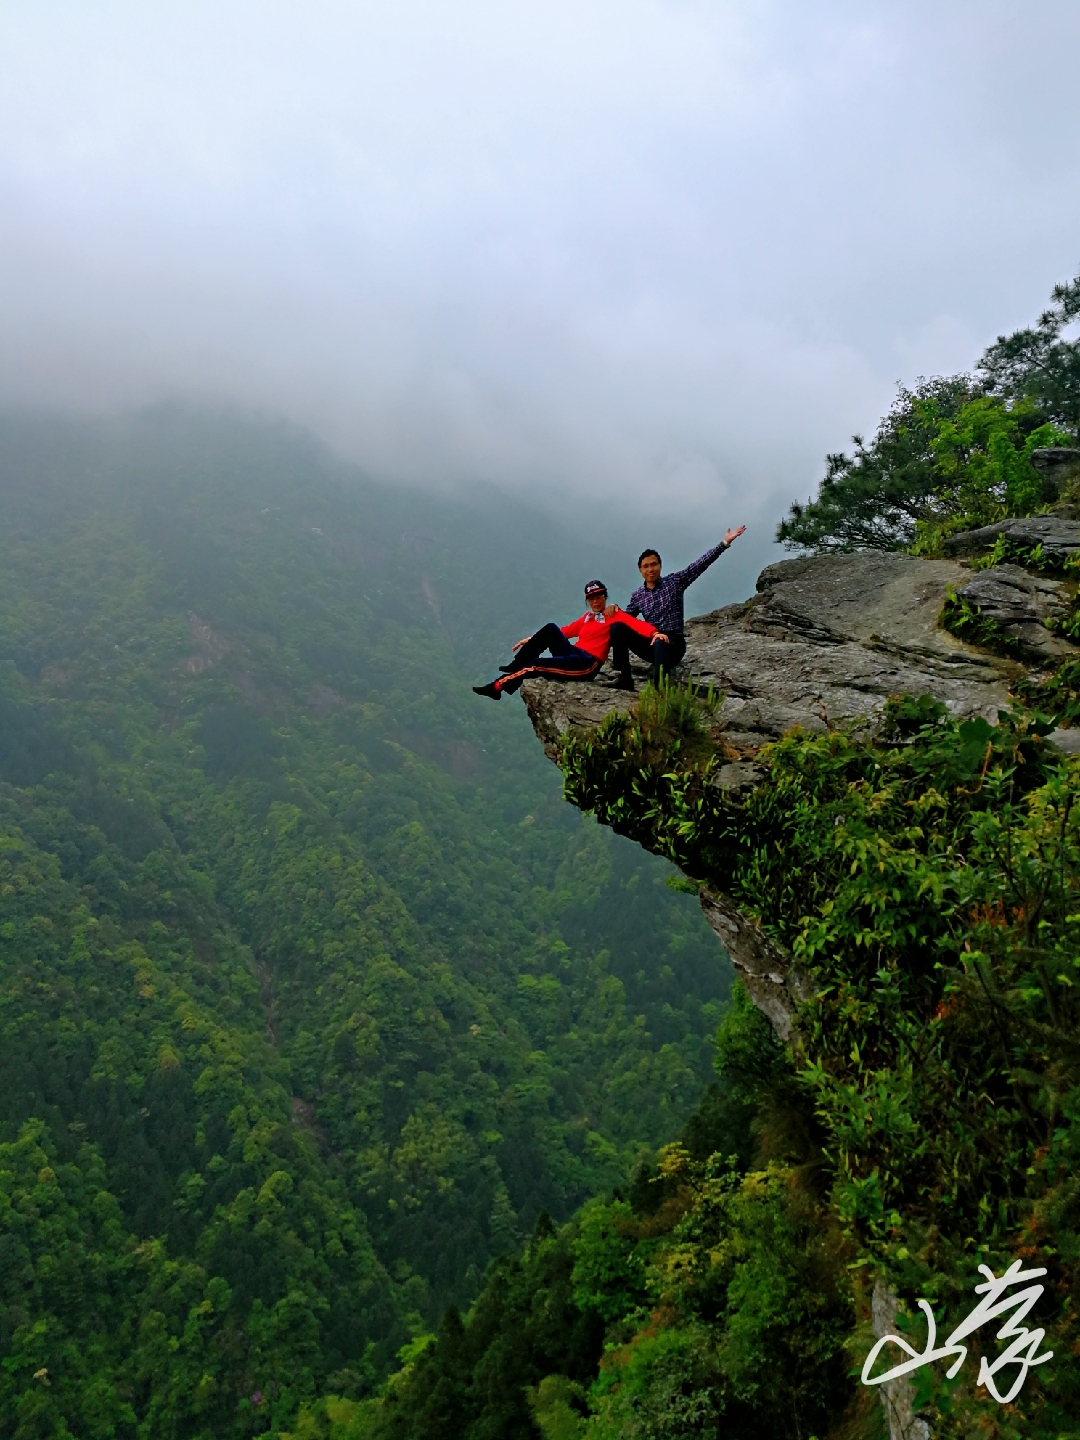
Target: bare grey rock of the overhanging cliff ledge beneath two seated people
829, 640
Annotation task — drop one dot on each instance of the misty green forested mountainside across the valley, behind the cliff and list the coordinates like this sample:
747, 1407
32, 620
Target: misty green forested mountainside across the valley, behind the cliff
315, 994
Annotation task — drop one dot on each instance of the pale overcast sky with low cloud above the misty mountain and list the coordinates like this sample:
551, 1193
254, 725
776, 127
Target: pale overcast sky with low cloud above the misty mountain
667, 251
